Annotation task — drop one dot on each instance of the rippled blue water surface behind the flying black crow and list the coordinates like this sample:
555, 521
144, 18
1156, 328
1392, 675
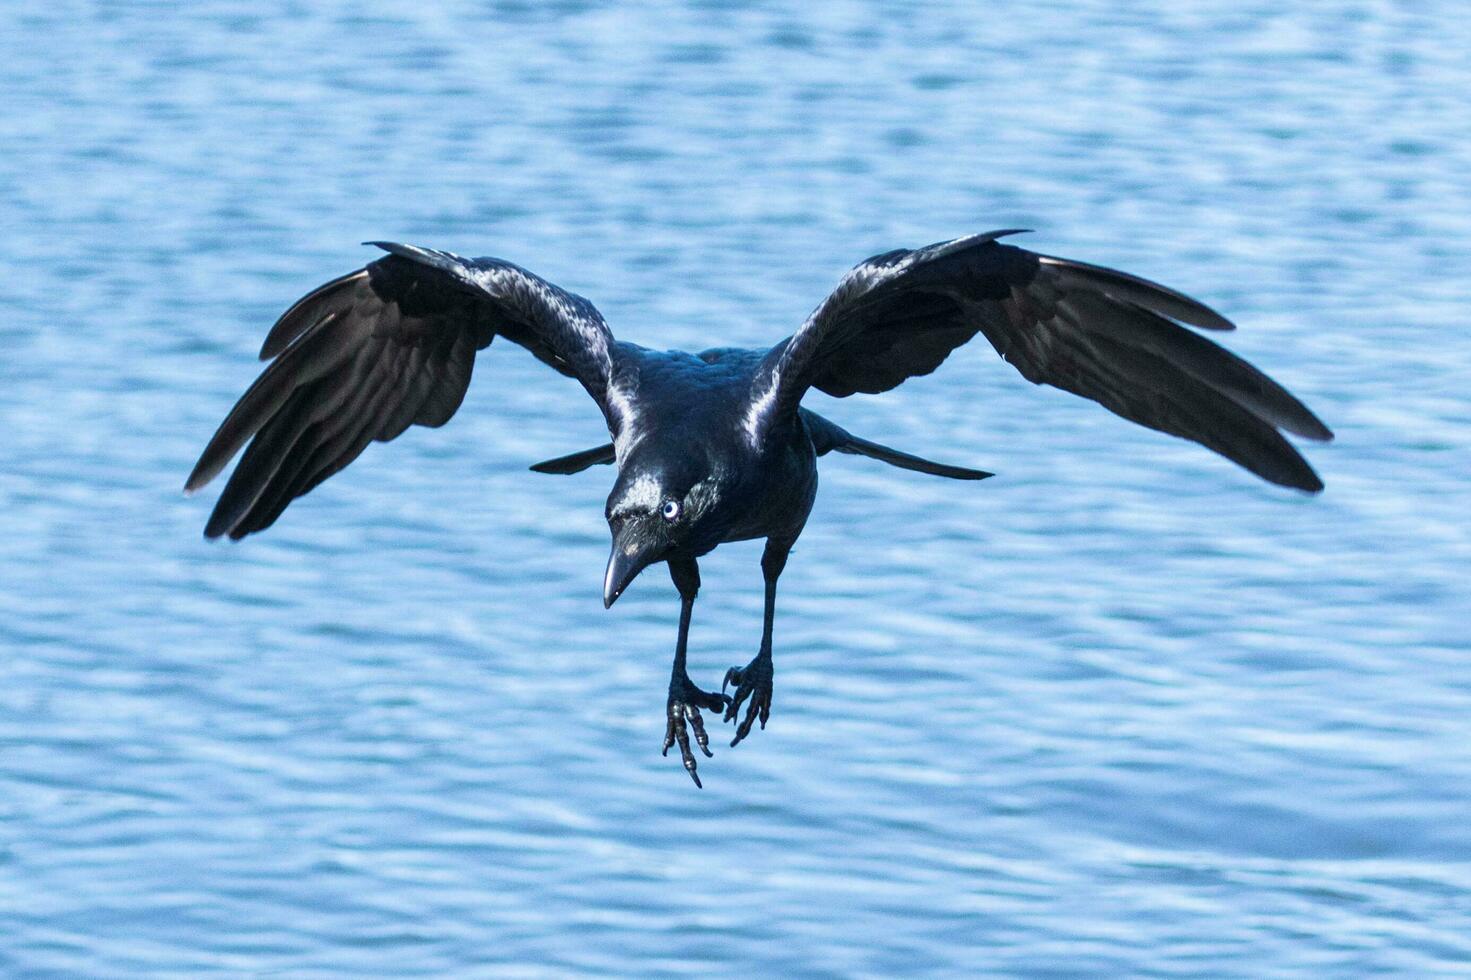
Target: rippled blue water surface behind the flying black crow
1122, 711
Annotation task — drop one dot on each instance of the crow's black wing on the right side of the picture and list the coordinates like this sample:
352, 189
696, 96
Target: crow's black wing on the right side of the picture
1104, 335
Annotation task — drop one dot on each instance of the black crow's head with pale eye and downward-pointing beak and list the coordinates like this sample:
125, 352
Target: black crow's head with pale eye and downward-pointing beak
654, 513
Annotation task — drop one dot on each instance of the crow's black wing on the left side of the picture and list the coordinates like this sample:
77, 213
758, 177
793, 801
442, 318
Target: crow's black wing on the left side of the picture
377, 351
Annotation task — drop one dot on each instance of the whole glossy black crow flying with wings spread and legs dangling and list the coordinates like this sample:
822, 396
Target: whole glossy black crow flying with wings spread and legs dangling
716, 447
